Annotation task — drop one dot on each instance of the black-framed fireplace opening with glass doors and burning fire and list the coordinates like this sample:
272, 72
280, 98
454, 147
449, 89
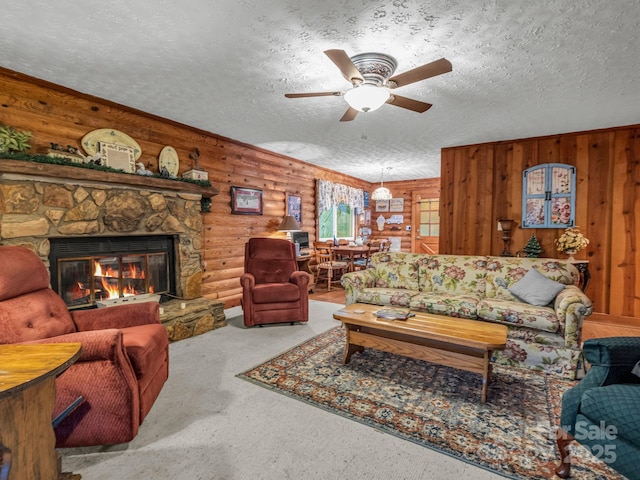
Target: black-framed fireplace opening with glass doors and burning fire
94, 271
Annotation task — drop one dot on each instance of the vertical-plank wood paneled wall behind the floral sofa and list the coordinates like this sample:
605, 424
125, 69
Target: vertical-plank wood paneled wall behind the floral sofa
481, 183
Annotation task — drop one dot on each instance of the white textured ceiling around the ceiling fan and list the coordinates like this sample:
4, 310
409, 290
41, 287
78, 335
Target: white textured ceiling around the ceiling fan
521, 68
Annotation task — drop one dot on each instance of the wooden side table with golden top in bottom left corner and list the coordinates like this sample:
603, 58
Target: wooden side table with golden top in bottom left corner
27, 400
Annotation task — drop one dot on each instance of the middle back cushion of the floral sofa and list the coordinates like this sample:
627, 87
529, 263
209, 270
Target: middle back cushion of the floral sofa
453, 274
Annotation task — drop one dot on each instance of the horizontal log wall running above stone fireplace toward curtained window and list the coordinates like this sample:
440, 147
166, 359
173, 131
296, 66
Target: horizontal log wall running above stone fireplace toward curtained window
56, 114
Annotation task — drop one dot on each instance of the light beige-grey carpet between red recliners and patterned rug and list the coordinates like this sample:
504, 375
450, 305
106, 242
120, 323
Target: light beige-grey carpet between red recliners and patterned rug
208, 424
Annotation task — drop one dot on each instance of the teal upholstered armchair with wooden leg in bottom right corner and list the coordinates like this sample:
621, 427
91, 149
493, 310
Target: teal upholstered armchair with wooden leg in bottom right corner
602, 412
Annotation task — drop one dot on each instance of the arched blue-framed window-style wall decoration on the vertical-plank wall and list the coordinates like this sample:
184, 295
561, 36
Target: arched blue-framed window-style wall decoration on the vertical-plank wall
548, 196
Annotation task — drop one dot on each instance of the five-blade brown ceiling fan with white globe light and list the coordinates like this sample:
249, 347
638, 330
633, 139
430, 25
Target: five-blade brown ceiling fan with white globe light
370, 75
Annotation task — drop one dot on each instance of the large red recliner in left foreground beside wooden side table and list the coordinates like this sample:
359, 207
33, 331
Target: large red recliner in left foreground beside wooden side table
123, 364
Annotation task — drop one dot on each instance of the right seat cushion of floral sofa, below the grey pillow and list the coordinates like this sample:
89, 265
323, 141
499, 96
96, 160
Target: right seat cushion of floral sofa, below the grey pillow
518, 313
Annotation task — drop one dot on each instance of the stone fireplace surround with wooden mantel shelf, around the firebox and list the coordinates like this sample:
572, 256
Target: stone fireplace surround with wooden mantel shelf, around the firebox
39, 201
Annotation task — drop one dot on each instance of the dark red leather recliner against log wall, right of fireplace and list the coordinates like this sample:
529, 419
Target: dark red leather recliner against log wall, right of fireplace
273, 289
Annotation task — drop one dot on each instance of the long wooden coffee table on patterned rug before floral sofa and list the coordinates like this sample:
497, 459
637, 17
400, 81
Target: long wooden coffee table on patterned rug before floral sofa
454, 342
